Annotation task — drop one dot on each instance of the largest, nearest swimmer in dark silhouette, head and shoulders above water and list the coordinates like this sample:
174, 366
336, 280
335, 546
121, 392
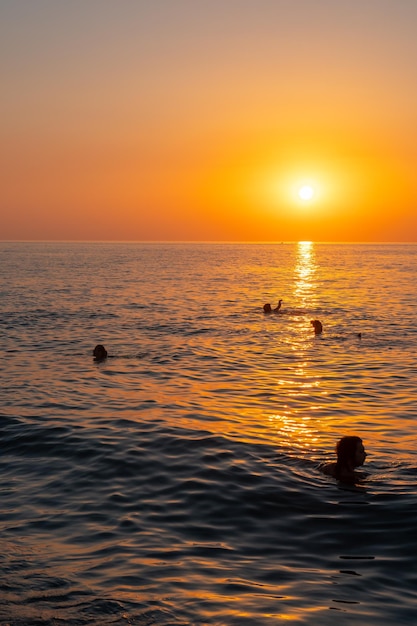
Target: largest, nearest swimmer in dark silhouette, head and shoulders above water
350, 454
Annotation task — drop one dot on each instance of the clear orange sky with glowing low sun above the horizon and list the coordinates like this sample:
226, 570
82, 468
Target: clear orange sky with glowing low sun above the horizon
203, 120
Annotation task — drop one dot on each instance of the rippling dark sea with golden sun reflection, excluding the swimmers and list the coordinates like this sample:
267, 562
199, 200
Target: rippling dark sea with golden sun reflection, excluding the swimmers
177, 483
